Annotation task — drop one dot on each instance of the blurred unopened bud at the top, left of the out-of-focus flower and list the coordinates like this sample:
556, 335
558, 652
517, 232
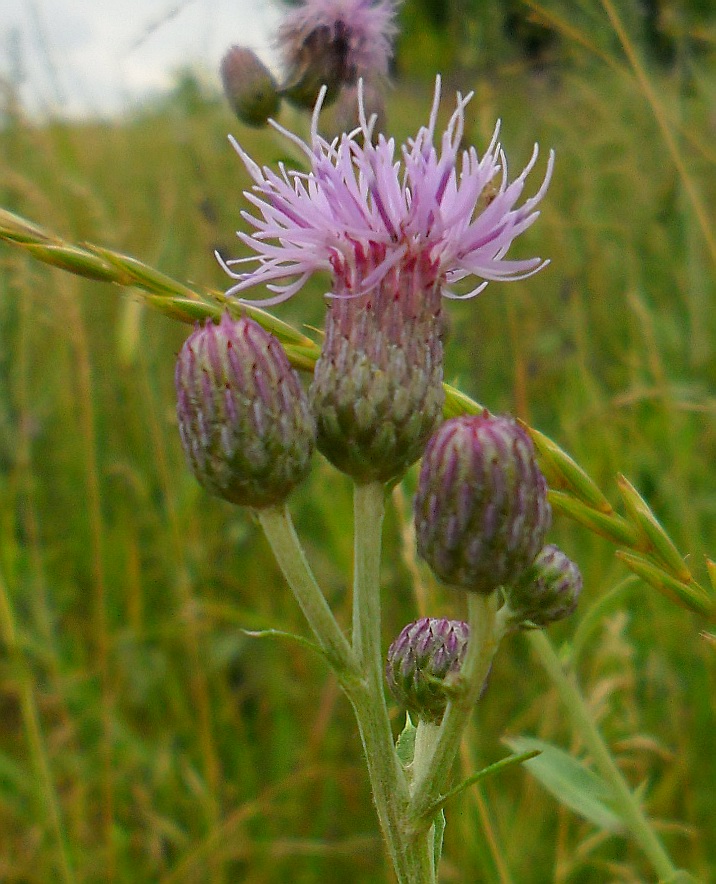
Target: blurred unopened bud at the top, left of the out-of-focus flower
251, 90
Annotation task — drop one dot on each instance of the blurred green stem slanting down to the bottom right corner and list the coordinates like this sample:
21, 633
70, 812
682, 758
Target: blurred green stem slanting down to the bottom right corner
583, 723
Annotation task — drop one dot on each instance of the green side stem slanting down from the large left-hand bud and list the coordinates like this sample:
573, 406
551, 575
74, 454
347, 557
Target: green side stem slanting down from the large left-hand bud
281, 535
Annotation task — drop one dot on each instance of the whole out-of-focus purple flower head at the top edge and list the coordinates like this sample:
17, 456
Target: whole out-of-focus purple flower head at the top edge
334, 42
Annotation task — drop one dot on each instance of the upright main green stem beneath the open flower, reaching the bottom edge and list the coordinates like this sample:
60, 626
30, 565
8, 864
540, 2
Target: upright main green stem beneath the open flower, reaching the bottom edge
412, 857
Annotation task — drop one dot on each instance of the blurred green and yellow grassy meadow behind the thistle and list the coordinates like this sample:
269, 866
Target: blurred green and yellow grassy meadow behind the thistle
143, 735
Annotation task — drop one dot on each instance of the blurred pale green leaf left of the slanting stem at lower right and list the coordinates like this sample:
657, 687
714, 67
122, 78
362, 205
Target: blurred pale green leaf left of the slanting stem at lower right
572, 783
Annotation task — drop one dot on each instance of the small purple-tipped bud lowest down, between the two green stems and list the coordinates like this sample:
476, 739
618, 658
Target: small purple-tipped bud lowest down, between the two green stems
423, 662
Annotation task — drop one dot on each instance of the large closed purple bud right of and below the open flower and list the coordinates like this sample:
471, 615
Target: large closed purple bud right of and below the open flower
481, 510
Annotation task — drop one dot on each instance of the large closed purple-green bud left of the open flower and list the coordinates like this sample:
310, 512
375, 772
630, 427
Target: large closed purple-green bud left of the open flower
244, 419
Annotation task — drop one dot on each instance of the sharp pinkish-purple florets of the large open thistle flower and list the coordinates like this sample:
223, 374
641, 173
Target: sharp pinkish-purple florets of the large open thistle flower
444, 204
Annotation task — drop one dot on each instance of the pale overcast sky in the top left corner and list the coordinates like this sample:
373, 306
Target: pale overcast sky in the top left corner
80, 57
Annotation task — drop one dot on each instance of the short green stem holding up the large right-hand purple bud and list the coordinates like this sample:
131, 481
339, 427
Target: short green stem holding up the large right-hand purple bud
486, 630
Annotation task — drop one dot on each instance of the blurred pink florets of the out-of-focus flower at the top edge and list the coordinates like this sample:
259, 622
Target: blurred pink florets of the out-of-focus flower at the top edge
363, 29
